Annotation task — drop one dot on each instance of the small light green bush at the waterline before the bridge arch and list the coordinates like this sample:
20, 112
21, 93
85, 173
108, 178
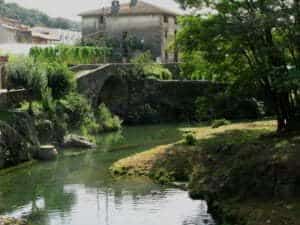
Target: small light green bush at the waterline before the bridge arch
106, 120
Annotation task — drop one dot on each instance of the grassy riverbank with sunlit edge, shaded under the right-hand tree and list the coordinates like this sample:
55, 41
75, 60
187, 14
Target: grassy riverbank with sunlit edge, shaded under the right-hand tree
247, 174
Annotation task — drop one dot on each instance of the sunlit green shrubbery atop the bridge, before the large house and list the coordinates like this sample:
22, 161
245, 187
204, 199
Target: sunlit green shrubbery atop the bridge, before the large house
145, 66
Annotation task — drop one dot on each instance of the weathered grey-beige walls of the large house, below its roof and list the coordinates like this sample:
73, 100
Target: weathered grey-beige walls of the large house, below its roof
152, 30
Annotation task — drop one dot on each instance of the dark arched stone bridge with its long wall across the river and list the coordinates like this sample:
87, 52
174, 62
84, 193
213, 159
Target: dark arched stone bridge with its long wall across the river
143, 100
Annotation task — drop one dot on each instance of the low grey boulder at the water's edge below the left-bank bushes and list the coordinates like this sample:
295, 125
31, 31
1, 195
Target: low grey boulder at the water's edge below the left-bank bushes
75, 141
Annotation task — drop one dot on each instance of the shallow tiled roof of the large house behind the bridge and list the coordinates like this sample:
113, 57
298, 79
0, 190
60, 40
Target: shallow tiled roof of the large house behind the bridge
141, 8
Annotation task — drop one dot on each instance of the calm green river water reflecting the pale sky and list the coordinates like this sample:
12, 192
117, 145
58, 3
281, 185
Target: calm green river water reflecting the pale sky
78, 189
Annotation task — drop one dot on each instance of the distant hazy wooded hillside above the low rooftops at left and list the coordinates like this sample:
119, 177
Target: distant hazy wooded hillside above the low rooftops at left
34, 17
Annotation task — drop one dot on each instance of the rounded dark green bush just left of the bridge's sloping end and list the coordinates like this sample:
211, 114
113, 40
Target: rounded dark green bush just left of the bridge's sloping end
60, 80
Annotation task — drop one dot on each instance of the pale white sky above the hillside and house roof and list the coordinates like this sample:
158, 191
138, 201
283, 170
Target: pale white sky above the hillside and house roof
71, 8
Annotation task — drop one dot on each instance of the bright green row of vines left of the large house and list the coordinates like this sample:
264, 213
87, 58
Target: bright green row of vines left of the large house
70, 55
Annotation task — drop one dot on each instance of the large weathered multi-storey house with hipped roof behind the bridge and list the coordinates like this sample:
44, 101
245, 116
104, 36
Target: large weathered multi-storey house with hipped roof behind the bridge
151, 26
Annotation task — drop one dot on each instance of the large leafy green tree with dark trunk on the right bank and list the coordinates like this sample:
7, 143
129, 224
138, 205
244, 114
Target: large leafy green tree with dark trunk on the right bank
250, 43
